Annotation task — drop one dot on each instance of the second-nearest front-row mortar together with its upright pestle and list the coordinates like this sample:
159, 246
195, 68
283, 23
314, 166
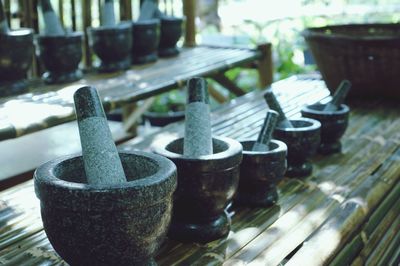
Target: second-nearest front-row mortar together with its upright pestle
208, 173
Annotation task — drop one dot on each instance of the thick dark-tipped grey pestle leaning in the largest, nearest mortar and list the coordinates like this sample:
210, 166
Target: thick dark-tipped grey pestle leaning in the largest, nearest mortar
100, 156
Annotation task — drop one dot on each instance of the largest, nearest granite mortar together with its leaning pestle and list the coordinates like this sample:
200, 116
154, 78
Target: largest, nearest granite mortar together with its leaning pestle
105, 207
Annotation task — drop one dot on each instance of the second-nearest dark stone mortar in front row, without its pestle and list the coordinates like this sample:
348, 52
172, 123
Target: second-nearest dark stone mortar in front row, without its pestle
206, 186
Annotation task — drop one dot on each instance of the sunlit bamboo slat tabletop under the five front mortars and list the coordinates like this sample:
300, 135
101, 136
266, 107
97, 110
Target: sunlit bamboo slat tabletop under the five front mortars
346, 212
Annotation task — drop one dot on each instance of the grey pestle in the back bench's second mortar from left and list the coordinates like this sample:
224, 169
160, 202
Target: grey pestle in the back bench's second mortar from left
52, 23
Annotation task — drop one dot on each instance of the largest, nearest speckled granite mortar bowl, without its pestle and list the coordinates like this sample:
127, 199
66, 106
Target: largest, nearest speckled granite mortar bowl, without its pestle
123, 224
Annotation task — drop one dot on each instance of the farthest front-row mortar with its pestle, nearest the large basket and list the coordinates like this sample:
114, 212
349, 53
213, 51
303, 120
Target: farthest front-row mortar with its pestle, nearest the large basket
334, 118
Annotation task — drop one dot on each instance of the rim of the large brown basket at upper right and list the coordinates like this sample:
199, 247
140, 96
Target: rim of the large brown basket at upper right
318, 32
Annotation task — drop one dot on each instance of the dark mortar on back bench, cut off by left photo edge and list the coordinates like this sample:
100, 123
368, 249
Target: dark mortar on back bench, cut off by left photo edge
16, 54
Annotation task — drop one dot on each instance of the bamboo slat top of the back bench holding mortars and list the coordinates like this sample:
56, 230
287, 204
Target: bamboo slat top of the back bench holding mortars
49, 105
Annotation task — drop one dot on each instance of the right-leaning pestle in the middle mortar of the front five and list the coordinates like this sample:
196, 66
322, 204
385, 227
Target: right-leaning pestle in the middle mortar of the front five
264, 137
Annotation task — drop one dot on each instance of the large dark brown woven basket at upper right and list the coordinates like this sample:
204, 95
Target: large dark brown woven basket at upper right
366, 54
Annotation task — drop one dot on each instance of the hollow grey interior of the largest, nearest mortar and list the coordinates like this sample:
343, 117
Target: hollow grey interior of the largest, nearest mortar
135, 167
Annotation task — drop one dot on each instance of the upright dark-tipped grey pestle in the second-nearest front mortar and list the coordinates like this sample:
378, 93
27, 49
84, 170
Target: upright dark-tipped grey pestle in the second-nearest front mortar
197, 140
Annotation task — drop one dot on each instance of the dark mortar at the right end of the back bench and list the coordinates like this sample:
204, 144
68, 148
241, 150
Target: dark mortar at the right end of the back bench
170, 33
